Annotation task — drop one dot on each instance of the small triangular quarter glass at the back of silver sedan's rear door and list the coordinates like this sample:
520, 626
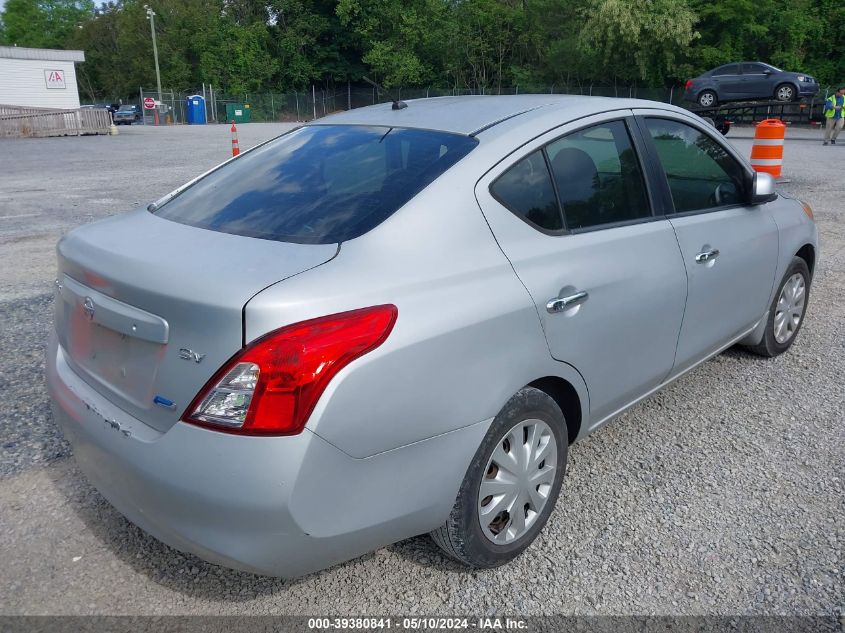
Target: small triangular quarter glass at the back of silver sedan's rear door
526, 189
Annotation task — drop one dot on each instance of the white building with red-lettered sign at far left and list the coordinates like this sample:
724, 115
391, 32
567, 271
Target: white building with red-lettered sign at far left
39, 77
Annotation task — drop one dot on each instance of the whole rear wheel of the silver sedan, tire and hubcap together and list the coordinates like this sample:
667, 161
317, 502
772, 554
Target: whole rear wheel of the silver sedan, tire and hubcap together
512, 484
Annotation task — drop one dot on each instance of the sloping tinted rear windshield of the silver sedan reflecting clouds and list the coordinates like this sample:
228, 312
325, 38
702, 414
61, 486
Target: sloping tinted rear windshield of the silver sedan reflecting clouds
318, 185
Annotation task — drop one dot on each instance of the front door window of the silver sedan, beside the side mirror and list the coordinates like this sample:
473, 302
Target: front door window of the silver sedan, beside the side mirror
700, 172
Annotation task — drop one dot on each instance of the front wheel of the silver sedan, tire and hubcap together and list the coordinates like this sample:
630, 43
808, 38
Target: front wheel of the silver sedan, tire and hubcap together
786, 314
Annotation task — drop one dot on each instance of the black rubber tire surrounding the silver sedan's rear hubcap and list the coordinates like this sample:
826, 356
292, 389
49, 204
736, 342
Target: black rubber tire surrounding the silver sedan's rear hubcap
462, 536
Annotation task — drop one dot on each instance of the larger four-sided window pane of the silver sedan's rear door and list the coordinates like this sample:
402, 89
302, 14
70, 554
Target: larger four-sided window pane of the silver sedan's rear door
598, 177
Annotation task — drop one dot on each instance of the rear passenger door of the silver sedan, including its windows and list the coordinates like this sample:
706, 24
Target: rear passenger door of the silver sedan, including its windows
572, 212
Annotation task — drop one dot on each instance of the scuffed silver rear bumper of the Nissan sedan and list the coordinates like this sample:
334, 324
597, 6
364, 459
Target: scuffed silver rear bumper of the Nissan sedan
280, 506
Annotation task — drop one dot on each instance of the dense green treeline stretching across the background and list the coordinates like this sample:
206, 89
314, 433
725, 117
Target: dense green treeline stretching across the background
251, 46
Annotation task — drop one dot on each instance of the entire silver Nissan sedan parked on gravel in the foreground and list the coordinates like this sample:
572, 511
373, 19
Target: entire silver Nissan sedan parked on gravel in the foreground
395, 320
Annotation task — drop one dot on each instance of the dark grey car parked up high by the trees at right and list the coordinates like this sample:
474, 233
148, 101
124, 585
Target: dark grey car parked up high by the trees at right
744, 81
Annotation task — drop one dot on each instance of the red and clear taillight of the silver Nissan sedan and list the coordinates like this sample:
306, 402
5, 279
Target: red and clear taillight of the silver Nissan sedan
272, 385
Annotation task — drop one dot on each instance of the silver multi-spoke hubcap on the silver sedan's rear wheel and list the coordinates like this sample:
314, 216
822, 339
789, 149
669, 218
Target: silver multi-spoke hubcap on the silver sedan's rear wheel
517, 481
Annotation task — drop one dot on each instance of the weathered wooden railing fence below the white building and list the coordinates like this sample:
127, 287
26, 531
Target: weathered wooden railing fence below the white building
16, 121
